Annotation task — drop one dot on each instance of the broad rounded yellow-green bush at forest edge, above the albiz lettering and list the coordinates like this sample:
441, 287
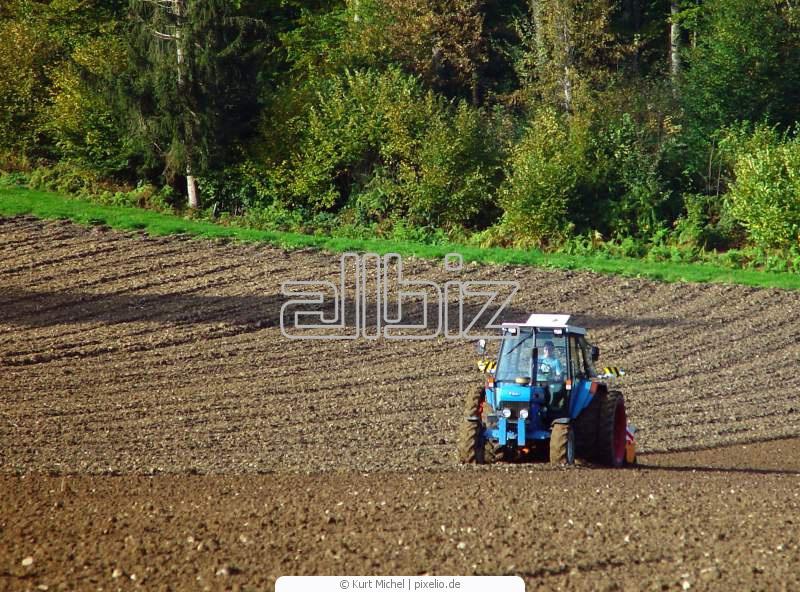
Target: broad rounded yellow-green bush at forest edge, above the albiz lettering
376, 143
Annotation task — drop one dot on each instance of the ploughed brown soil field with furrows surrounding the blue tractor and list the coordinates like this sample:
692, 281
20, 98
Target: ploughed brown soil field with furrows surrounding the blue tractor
154, 421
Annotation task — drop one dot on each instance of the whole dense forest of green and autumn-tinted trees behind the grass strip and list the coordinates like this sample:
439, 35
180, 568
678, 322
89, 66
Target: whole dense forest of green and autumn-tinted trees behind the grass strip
660, 129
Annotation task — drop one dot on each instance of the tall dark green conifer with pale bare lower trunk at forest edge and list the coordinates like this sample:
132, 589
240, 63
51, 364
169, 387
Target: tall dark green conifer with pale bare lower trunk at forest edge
191, 60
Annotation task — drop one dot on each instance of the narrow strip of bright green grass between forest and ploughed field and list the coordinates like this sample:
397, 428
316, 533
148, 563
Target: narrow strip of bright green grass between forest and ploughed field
15, 201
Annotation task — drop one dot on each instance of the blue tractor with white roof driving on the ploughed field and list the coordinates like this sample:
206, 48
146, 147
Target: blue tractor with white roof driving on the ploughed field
543, 397
